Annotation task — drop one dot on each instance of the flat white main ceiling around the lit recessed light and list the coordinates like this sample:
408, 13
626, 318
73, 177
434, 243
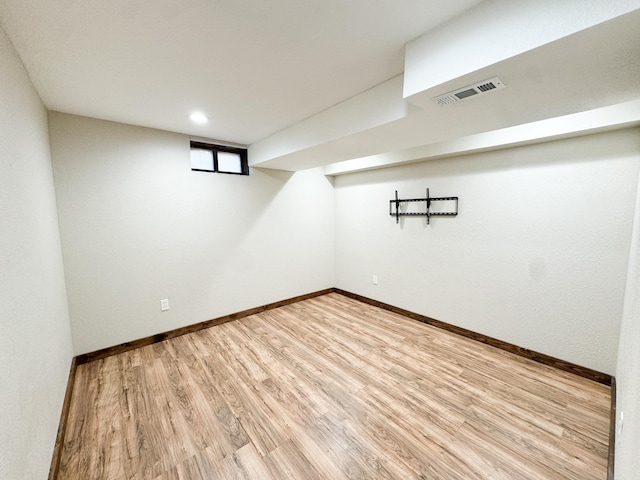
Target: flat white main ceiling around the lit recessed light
253, 66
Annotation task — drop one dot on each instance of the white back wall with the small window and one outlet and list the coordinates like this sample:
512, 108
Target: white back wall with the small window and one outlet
139, 226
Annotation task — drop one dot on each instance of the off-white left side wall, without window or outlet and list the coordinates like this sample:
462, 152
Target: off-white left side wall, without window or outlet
35, 344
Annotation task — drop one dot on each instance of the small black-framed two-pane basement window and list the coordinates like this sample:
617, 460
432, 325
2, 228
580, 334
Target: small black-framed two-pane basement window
208, 157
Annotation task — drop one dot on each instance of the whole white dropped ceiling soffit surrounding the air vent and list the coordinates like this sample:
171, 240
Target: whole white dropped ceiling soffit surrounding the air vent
570, 67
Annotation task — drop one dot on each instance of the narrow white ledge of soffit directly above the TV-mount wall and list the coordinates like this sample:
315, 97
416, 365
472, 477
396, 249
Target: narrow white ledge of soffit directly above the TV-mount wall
613, 117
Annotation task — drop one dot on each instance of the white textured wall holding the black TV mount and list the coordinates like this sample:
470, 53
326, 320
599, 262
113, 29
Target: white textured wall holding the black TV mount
537, 255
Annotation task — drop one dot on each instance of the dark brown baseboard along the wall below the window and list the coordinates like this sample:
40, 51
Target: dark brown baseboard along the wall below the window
159, 337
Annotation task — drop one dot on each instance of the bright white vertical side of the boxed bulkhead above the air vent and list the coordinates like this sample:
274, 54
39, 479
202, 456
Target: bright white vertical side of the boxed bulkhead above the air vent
494, 31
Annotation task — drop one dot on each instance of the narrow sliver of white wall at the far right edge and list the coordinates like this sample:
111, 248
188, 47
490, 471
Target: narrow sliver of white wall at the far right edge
628, 369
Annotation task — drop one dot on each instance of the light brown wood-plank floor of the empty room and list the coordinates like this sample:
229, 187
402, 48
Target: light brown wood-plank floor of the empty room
330, 388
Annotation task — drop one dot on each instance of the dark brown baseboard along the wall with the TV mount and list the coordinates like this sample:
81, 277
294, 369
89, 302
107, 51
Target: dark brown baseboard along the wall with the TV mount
494, 342
